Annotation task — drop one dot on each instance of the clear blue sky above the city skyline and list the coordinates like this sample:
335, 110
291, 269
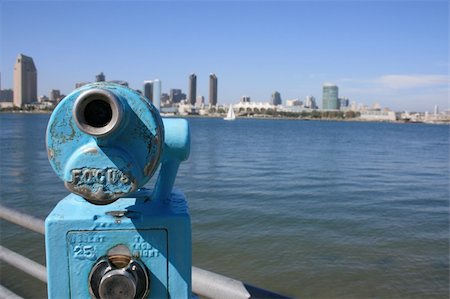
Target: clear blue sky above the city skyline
391, 52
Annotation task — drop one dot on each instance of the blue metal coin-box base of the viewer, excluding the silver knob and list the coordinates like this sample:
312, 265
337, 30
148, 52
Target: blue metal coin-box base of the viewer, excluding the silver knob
158, 233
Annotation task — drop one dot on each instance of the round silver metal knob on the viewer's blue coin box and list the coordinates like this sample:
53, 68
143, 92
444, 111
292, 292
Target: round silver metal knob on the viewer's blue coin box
118, 277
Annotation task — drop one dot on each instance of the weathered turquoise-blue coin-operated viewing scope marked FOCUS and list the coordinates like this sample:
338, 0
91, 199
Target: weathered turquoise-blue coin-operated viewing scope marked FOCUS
112, 238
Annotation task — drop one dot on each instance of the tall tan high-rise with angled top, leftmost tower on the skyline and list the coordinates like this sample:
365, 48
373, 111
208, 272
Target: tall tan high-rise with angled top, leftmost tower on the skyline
25, 81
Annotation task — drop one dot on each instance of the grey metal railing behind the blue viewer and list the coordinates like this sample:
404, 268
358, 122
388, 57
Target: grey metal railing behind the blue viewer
204, 283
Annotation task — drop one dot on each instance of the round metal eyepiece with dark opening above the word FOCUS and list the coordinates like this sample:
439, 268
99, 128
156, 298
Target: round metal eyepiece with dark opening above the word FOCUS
97, 112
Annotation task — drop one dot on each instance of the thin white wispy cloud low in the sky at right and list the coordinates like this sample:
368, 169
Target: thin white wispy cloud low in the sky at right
412, 81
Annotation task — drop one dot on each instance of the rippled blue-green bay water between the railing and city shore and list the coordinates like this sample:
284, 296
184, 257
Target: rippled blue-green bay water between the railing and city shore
311, 209
